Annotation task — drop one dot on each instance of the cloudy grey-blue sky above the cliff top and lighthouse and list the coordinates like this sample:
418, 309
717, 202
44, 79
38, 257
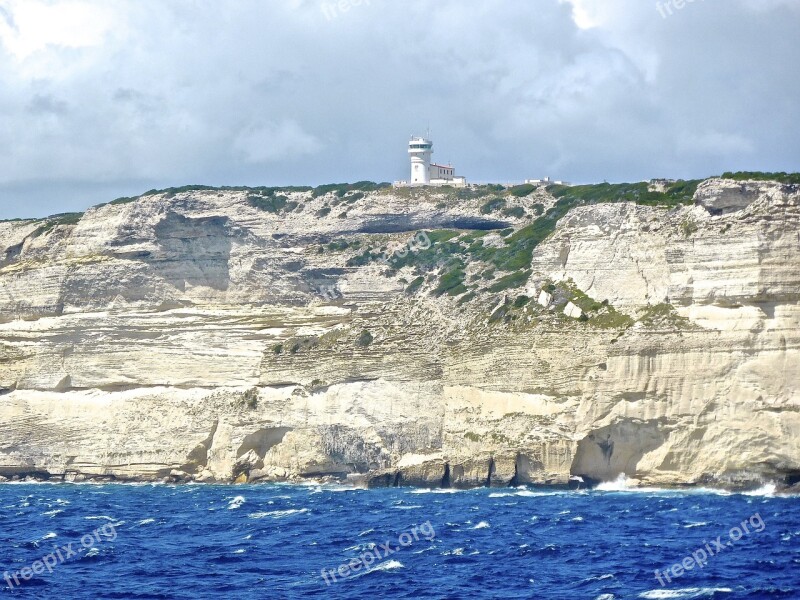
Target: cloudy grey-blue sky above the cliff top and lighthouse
102, 99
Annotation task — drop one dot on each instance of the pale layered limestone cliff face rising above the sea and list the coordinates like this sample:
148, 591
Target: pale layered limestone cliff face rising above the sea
195, 336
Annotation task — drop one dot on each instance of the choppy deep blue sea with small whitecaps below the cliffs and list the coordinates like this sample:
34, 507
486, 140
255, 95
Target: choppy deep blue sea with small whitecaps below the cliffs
291, 541
